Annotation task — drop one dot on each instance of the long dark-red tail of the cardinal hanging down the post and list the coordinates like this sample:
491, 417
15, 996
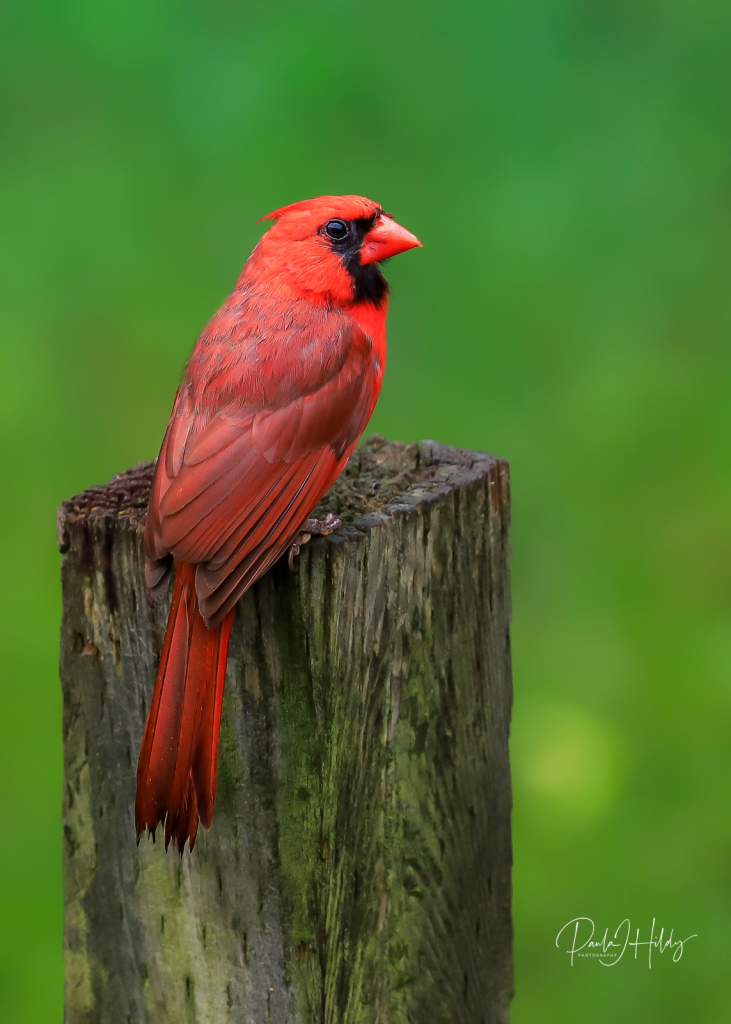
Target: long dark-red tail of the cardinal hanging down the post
179, 760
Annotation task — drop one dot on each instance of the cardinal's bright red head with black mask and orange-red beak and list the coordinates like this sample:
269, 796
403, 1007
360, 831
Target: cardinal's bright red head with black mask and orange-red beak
329, 250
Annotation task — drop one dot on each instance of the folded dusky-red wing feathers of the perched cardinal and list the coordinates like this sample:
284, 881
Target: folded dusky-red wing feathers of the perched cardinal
232, 496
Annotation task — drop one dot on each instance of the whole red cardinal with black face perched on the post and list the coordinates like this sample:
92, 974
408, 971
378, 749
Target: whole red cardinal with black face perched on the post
279, 390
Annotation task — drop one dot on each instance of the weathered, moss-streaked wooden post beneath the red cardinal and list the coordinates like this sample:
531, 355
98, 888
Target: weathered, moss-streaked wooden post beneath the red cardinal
359, 868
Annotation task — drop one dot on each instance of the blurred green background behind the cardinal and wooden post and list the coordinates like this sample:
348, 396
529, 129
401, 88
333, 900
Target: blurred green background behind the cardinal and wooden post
568, 165
